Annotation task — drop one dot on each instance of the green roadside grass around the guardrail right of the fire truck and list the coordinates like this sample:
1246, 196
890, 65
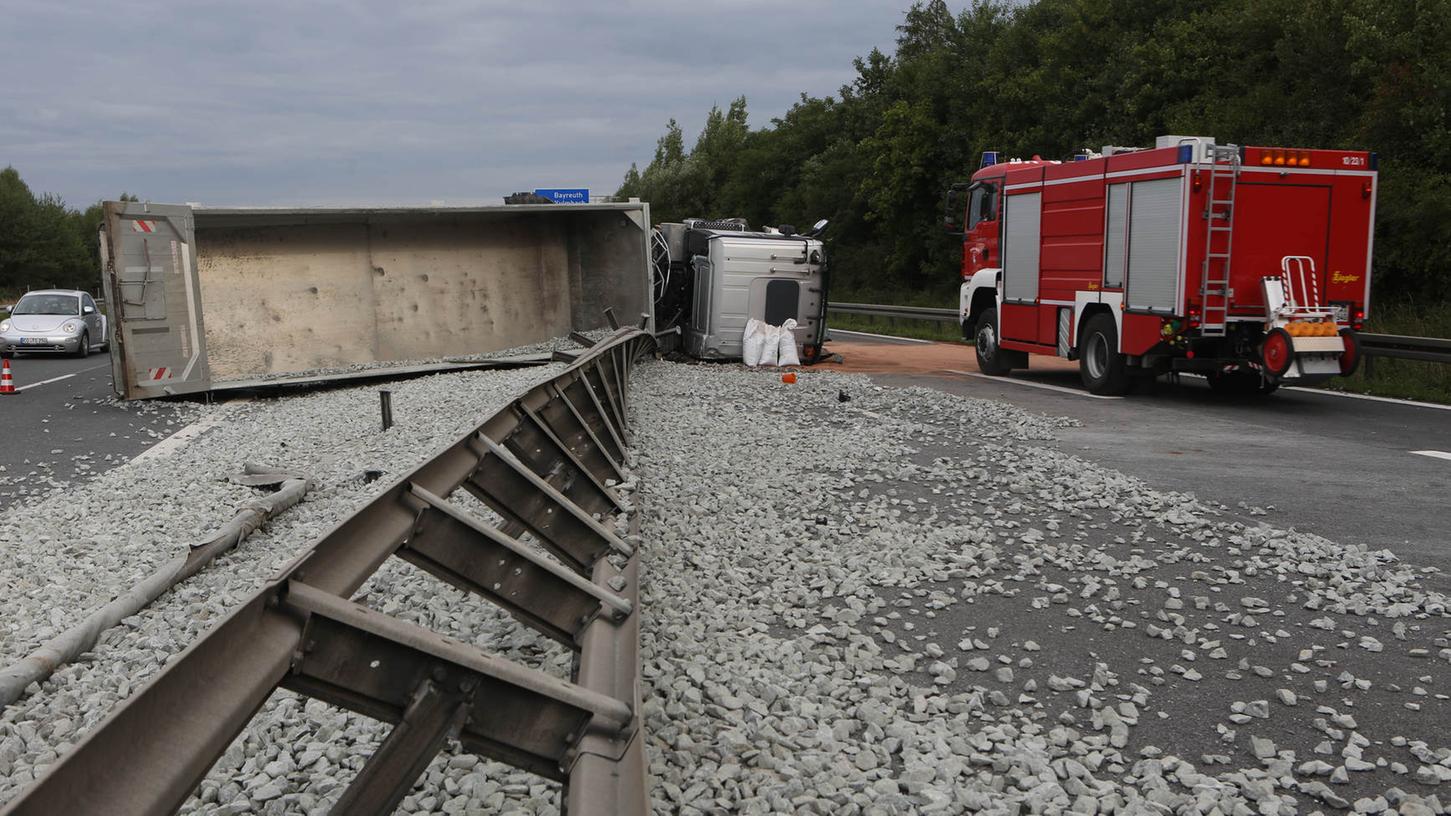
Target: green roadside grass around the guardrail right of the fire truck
1404, 380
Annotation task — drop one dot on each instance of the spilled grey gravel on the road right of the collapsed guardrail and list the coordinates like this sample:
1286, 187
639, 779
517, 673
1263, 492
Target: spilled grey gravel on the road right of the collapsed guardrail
863, 600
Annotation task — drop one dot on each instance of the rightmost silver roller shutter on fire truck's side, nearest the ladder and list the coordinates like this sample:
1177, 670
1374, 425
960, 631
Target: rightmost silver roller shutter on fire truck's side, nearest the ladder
1156, 220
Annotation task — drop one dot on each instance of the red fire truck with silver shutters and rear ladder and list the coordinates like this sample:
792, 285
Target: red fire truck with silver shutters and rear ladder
1247, 265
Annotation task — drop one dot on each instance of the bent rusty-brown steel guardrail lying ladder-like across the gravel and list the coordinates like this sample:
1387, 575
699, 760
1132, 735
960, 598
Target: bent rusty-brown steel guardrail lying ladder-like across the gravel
543, 464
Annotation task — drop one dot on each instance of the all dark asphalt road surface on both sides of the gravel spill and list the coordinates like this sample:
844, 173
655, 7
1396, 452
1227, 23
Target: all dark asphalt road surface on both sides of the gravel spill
1327, 464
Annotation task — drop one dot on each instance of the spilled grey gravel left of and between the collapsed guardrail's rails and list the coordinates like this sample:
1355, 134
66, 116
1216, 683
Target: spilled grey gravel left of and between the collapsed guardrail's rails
72, 552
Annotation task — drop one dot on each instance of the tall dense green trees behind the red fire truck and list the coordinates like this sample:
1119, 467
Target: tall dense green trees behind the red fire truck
1056, 76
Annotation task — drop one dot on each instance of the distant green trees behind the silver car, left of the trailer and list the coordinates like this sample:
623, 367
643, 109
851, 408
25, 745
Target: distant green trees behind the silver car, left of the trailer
44, 243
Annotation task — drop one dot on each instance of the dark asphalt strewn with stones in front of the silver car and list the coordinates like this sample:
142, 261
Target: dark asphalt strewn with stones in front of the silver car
66, 425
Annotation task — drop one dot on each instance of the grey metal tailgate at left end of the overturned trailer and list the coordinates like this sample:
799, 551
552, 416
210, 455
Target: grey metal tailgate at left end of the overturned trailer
155, 297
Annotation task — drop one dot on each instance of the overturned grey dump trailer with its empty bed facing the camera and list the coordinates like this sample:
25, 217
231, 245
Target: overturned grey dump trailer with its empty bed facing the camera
211, 298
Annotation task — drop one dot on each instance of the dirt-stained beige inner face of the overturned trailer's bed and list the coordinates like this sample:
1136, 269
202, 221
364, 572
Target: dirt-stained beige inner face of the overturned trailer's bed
287, 298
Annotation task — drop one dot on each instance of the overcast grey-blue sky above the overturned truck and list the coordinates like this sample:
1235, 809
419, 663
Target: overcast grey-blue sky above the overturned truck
403, 102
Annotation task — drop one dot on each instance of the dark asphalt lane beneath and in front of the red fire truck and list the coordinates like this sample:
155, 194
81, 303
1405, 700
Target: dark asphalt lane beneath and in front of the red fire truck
1340, 467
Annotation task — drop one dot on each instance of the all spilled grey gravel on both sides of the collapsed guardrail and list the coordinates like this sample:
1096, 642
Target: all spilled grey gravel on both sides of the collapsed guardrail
855, 600
